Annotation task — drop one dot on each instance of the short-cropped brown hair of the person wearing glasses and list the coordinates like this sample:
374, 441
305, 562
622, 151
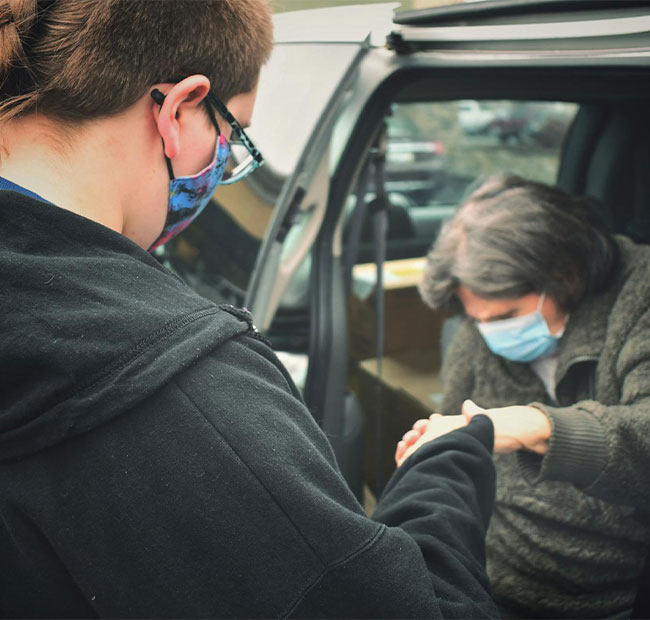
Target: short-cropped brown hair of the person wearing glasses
74, 60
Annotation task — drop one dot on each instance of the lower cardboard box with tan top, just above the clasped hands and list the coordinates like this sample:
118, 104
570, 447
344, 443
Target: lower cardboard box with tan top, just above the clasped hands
410, 389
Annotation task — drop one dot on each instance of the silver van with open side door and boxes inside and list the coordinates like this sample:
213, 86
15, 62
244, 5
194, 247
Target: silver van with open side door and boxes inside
554, 90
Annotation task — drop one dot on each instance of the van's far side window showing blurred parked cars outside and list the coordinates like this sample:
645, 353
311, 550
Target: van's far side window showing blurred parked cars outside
453, 143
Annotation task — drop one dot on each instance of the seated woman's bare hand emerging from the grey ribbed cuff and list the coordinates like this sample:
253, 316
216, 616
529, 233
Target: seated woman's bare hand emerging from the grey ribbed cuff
515, 428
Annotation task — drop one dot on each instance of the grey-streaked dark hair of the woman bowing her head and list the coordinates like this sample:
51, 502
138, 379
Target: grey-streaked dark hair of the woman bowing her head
512, 237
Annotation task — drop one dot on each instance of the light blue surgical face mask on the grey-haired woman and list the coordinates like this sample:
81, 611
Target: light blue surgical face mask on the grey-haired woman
521, 338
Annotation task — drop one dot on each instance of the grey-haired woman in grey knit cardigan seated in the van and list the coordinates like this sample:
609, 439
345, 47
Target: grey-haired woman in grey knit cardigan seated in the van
555, 348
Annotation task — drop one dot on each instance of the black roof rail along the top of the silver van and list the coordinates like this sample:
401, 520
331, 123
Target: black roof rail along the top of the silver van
497, 8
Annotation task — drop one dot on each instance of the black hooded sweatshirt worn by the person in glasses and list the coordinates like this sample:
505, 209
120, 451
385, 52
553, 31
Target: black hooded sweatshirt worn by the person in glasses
156, 459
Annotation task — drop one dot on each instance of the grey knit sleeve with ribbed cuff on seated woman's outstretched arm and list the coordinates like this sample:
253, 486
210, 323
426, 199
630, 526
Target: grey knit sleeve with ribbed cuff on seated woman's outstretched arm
604, 450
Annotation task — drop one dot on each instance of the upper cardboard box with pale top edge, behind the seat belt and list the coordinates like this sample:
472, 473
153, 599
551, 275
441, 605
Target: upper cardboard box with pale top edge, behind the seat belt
409, 323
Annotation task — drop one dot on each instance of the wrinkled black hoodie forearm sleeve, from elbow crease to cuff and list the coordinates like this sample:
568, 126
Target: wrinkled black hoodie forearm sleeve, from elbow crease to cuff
444, 489
